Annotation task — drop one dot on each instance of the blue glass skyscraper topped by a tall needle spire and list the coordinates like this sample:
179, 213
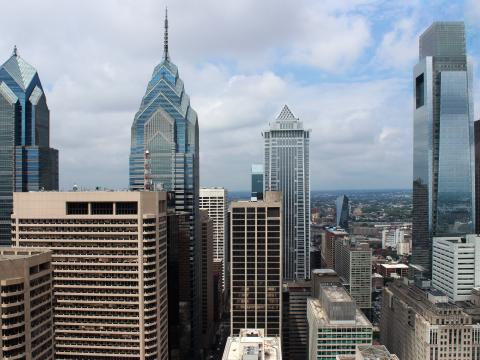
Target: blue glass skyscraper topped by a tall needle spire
167, 127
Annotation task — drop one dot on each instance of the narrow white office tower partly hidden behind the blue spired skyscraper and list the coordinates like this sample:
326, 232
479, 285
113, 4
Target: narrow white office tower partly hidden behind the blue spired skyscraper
214, 200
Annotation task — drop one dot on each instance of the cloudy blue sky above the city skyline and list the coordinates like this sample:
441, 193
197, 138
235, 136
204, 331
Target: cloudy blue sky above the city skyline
344, 67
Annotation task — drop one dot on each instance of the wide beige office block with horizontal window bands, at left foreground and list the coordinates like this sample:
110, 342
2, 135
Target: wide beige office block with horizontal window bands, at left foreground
109, 257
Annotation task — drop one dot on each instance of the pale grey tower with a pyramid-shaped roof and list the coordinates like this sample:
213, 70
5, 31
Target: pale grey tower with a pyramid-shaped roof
287, 169
